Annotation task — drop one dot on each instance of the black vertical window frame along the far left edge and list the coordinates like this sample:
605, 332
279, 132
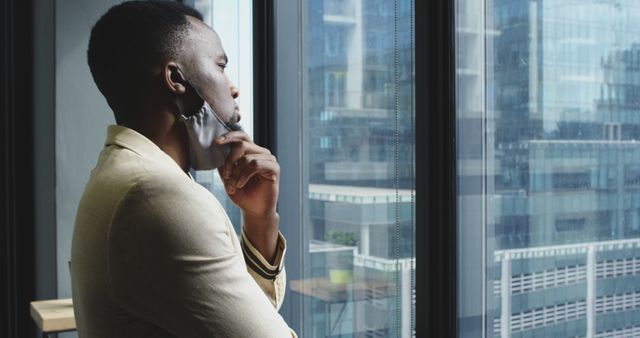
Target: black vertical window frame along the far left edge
18, 284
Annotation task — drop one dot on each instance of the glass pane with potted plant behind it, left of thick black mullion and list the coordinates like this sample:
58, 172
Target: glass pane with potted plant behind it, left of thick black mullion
358, 134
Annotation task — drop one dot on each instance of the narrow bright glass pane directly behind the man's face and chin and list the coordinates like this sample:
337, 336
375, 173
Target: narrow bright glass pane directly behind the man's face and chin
232, 20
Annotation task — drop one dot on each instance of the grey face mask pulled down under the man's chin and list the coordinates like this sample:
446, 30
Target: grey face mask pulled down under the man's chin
203, 128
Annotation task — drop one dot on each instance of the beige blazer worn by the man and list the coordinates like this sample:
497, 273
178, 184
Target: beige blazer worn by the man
155, 255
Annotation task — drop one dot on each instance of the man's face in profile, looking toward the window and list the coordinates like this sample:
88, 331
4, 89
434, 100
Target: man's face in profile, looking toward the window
204, 66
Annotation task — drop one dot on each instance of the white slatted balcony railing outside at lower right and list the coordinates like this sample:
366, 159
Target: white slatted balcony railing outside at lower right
591, 272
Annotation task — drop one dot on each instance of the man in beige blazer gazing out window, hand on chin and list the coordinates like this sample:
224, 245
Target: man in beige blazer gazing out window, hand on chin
153, 253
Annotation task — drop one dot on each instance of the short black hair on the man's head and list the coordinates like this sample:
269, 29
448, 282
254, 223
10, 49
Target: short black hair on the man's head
128, 39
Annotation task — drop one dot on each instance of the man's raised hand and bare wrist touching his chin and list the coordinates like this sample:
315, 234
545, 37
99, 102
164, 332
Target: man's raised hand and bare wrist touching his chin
251, 176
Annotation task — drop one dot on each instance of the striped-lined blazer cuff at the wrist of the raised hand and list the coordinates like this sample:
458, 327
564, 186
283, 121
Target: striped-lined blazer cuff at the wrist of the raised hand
270, 277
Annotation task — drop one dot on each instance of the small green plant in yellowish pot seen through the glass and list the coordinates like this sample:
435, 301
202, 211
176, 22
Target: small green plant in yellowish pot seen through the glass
340, 262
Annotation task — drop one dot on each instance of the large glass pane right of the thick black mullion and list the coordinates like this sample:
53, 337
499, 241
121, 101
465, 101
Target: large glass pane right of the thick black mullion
548, 168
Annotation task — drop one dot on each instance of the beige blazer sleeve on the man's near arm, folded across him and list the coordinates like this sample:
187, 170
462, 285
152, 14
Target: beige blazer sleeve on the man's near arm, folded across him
172, 263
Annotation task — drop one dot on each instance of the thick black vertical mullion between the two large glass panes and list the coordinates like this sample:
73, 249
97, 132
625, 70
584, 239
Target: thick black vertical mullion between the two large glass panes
436, 256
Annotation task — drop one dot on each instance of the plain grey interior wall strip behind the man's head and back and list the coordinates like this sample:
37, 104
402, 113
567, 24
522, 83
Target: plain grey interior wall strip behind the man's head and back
81, 119
